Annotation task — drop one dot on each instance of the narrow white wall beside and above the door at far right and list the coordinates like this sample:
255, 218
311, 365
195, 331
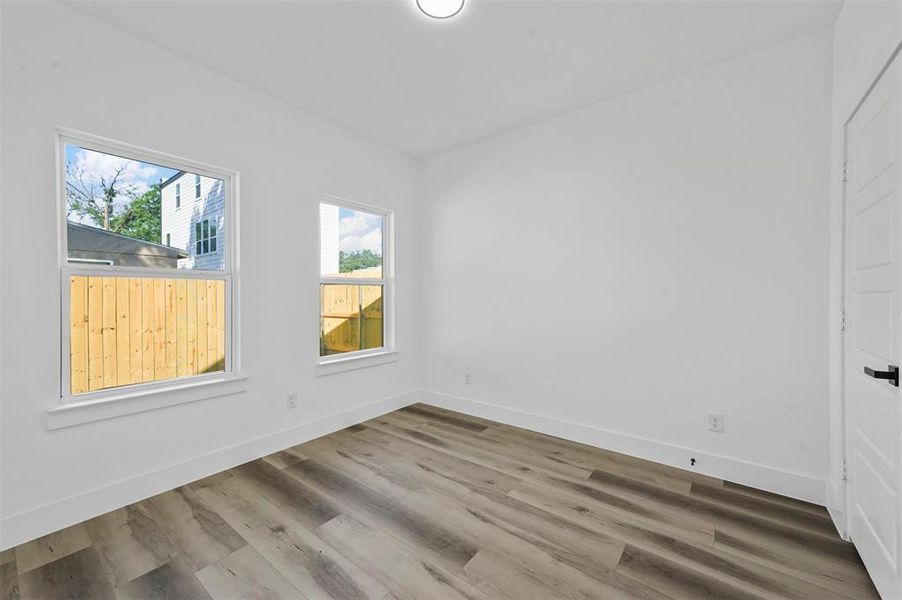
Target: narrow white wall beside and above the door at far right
866, 34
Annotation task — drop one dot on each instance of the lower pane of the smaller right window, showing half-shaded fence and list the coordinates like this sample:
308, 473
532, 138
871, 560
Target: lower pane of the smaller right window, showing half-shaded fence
351, 318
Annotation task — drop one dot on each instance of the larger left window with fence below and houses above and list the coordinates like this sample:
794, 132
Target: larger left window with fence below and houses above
138, 310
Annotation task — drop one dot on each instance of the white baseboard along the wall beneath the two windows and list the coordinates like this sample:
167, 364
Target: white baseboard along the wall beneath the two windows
34, 523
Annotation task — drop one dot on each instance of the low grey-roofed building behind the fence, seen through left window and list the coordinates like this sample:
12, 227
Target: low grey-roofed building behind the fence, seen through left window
92, 245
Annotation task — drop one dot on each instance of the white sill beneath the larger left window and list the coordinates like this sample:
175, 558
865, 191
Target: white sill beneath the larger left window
76, 412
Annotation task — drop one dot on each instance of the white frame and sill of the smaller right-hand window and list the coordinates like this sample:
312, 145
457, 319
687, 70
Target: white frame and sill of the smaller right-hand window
336, 363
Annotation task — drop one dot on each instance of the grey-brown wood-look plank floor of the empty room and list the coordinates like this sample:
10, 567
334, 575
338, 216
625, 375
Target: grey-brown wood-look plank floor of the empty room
430, 504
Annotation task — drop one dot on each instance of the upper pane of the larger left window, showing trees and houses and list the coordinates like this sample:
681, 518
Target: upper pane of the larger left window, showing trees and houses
117, 209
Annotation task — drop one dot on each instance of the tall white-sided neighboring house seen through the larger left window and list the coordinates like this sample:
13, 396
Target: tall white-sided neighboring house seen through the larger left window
193, 209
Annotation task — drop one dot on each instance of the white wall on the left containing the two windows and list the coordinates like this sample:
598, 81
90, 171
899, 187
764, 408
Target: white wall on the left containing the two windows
61, 68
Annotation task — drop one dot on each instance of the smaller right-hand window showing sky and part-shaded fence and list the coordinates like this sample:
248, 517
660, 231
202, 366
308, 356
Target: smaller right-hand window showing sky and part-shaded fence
355, 280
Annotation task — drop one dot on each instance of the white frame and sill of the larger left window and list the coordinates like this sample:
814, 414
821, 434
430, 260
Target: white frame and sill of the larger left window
157, 393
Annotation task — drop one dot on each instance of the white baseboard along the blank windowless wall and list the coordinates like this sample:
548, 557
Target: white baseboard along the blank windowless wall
772, 479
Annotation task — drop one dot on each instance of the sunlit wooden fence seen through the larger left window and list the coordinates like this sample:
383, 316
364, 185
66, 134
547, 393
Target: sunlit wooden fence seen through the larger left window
126, 330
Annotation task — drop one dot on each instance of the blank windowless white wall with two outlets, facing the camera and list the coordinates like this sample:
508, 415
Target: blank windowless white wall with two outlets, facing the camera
615, 273
